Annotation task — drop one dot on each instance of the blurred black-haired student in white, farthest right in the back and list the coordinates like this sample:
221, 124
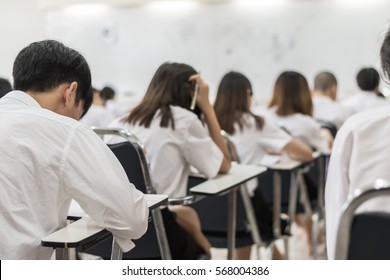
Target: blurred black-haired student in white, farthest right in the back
368, 80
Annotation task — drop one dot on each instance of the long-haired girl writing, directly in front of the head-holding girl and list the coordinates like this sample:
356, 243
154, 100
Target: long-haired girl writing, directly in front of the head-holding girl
253, 137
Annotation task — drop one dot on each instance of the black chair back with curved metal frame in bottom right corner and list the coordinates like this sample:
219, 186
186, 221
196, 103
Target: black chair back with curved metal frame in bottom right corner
365, 235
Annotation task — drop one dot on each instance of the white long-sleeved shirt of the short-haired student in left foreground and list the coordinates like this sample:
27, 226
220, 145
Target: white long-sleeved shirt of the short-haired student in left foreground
46, 160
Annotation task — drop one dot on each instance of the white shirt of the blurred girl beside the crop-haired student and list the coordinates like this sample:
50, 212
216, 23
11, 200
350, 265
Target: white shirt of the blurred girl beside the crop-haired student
302, 127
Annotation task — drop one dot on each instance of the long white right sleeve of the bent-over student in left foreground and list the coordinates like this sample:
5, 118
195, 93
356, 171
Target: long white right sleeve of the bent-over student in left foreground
94, 178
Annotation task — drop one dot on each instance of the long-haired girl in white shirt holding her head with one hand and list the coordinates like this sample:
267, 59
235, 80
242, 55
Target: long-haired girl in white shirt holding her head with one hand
175, 139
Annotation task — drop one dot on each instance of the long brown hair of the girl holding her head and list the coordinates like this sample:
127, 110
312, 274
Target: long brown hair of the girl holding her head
170, 85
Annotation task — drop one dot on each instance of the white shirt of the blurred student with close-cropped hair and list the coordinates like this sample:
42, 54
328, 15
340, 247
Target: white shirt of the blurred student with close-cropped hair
325, 108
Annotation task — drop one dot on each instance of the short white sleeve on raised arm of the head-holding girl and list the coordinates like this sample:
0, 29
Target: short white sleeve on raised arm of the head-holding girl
200, 150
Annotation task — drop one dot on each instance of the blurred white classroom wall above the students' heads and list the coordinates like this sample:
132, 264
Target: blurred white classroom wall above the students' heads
124, 45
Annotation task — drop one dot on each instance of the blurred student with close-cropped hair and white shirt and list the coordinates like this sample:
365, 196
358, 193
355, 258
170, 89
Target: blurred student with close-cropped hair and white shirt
325, 106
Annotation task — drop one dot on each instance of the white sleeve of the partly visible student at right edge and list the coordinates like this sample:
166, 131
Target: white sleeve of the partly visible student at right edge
337, 186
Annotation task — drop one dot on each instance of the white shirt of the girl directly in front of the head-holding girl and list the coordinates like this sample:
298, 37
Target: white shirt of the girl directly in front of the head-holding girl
252, 144
